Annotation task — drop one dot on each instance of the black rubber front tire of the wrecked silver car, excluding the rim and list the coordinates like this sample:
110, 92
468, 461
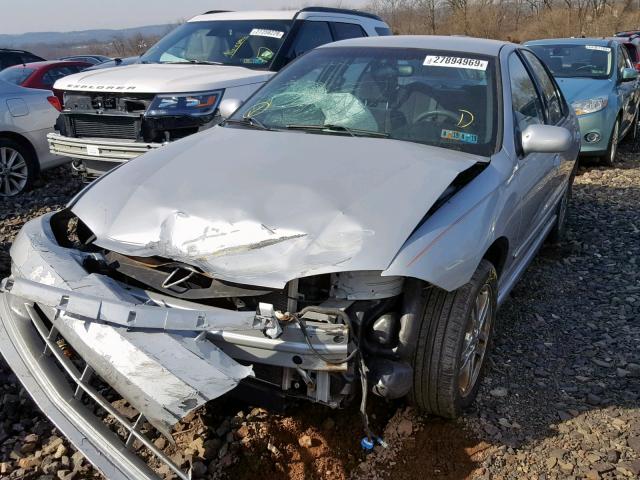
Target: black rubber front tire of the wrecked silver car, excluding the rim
442, 334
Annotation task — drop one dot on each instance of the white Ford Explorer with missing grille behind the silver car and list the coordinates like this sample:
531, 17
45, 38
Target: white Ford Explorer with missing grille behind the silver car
189, 81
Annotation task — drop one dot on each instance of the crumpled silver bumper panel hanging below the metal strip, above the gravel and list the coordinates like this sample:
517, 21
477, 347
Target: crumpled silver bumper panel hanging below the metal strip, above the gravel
164, 376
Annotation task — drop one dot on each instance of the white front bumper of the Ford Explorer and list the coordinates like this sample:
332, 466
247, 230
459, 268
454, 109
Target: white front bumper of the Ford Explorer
96, 156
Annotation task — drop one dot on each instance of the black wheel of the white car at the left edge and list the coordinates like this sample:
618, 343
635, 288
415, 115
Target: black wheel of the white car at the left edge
17, 172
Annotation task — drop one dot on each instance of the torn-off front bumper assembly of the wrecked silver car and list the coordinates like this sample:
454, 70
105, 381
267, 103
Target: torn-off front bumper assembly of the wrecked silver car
163, 360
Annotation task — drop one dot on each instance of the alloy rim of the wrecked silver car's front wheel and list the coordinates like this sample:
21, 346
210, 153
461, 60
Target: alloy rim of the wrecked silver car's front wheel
476, 340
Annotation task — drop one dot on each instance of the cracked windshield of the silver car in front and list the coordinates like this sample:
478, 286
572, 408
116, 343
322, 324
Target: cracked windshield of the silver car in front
445, 99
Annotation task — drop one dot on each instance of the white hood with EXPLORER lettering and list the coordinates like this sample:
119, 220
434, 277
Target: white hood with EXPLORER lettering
156, 78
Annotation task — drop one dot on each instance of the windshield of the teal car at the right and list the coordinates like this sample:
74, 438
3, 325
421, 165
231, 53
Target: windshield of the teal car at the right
592, 61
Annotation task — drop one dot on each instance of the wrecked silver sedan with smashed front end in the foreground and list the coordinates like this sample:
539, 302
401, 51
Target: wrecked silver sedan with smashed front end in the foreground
352, 228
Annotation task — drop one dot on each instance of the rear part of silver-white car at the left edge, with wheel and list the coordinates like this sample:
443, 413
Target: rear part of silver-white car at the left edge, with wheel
26, 117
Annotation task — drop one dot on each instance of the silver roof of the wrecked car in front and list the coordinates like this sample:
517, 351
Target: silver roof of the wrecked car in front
480, 46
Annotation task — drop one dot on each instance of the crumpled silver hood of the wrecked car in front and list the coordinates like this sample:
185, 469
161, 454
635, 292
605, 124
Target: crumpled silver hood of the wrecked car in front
262, 208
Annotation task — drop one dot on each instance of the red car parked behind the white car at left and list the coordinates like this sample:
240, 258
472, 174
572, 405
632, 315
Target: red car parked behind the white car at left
42, 75
